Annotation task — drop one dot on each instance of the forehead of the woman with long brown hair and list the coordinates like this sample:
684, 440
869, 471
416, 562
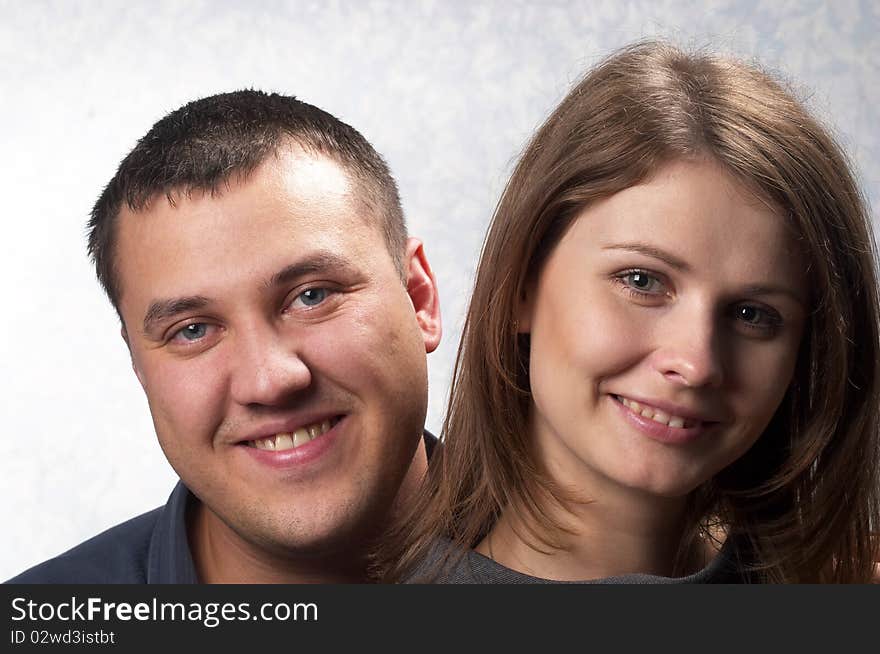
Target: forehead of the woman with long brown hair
696, 216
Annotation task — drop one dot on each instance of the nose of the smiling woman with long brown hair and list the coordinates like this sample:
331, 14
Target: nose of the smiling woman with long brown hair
688, 347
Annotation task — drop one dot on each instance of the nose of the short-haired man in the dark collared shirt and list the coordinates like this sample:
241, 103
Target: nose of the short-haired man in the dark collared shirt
268, 368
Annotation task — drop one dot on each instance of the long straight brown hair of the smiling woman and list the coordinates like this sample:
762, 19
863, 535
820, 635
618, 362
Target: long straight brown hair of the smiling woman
802, 503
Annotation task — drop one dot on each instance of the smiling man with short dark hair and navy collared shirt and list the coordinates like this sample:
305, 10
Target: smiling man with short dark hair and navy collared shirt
277, 318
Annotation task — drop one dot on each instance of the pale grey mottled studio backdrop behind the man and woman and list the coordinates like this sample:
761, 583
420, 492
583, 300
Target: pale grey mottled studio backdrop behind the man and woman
447, 91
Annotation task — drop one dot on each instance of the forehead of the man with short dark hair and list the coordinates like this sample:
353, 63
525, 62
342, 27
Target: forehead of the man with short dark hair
294, 204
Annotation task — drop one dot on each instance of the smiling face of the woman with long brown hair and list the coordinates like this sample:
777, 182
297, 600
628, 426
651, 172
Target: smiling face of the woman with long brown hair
664, 331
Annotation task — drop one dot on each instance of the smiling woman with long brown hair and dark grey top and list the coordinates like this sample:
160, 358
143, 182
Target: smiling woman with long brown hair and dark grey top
669, 366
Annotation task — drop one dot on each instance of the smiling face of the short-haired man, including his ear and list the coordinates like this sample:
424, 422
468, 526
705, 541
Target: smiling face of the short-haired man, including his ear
282, 356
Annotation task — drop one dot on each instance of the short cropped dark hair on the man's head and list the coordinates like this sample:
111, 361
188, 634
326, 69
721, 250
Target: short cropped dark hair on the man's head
204, 144
